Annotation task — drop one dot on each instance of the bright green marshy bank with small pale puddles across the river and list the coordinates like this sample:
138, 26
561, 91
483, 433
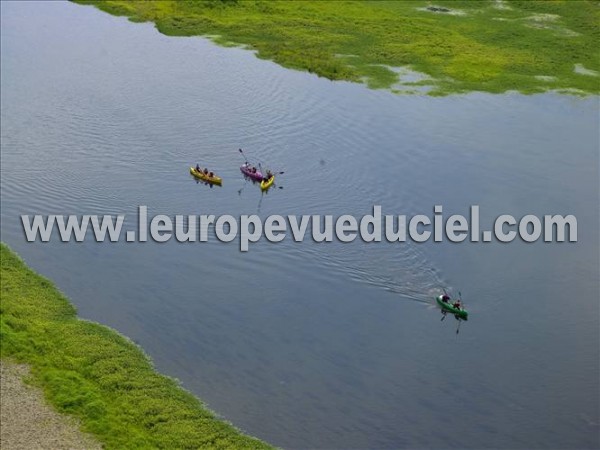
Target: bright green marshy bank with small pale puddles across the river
455, 46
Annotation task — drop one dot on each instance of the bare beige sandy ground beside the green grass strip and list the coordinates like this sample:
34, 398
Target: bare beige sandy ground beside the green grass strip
28, 422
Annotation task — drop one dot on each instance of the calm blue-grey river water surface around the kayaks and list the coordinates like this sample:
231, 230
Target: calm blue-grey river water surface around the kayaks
304, 344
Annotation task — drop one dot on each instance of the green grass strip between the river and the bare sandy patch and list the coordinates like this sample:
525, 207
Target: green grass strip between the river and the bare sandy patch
97, 375
